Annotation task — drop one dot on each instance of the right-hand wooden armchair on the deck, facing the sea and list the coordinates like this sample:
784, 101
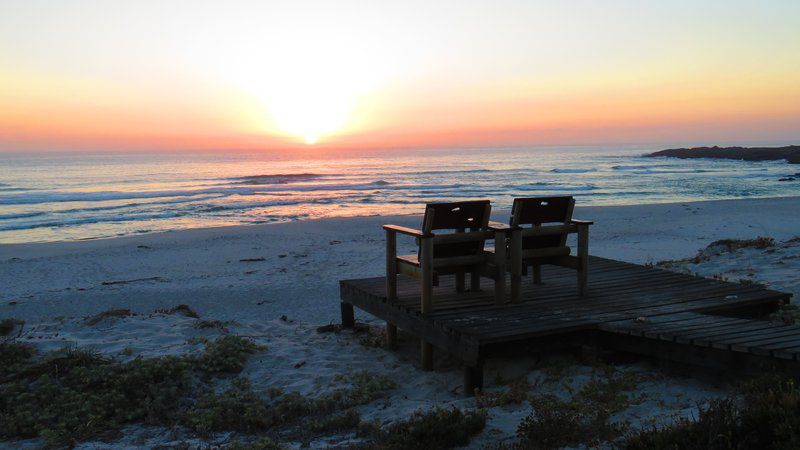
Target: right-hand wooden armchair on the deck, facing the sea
540, 227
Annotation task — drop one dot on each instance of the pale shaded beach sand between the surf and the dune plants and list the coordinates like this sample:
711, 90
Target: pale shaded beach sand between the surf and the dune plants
53, 286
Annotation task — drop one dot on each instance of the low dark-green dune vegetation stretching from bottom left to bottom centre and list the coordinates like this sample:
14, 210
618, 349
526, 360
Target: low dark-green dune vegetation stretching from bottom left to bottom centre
71, 395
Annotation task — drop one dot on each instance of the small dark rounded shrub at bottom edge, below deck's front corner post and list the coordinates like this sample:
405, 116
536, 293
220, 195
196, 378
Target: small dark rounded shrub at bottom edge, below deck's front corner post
435, 429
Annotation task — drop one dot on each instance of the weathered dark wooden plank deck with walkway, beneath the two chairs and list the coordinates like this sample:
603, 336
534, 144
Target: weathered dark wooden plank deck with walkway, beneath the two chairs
630, 307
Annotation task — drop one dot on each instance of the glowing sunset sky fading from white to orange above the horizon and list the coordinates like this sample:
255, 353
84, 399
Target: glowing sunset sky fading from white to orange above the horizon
175, 75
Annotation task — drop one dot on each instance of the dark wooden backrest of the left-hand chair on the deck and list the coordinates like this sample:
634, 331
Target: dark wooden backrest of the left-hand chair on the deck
458, 217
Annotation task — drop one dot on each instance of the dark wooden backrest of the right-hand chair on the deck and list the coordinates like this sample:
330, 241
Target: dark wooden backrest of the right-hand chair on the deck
538, 211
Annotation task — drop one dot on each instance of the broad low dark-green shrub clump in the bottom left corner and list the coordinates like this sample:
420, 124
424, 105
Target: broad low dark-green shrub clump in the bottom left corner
73, 395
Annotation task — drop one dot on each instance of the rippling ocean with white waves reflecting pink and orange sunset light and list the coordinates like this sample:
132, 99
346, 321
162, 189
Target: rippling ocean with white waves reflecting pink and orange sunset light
58, 197
